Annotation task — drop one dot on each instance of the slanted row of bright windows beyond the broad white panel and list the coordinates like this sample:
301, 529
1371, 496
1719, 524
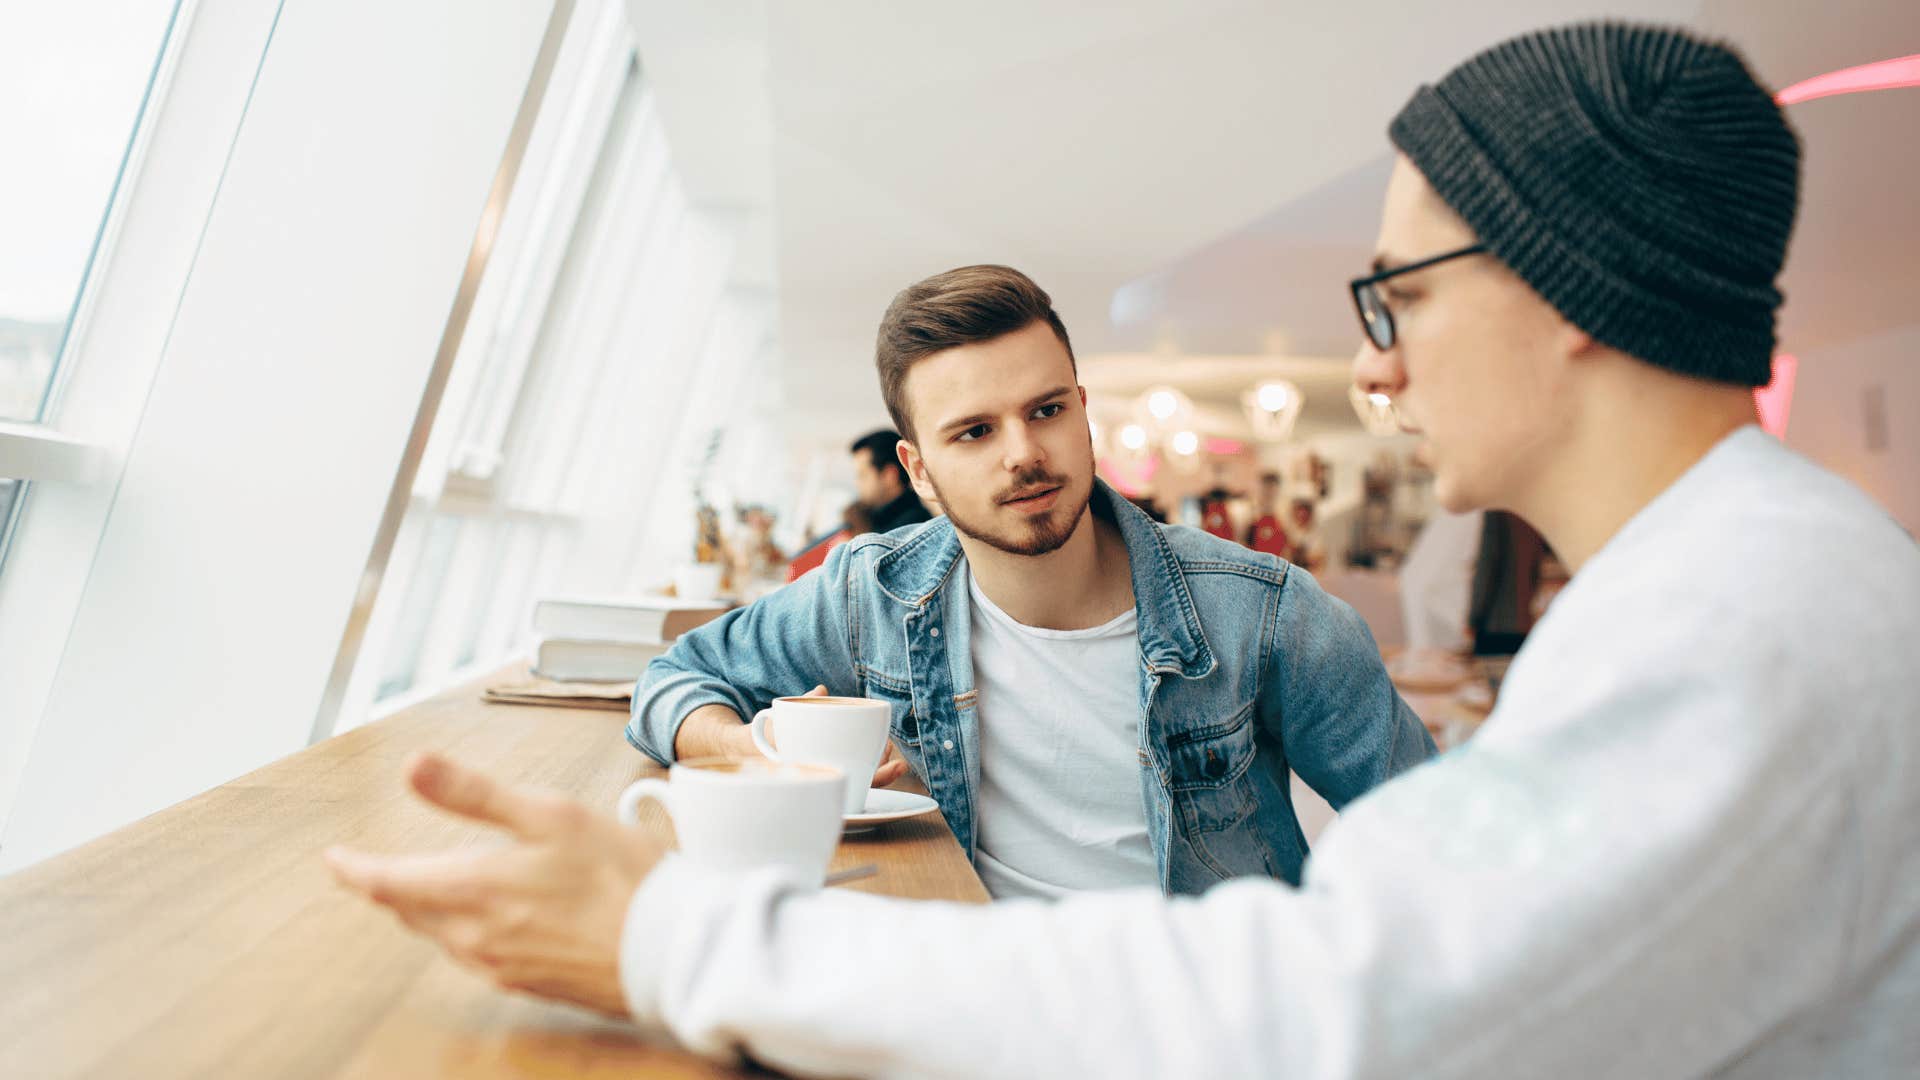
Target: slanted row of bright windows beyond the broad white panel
577, 395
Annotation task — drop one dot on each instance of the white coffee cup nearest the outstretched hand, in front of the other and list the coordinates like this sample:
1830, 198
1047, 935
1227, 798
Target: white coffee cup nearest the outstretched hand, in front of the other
742, 816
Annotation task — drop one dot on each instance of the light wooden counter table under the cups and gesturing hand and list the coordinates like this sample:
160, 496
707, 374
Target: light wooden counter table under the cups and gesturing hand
208, 941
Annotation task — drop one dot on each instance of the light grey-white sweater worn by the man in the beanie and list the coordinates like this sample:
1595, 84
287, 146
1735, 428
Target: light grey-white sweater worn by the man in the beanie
1685, 845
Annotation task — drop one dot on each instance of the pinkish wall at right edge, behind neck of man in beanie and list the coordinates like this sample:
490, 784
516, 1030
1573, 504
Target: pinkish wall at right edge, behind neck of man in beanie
1831, 420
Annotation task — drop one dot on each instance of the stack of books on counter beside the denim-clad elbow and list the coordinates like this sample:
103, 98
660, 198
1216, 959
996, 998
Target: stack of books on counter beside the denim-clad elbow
612, 639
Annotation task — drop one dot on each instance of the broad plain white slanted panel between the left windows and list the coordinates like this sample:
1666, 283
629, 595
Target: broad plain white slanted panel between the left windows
285, 397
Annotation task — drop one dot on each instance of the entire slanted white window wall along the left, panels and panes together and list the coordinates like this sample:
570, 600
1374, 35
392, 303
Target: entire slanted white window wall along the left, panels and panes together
195, 528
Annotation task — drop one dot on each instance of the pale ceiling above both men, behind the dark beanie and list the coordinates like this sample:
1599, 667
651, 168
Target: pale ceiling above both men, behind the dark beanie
1186, 178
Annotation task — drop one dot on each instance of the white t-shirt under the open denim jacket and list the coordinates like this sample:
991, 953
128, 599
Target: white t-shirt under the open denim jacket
1061, 775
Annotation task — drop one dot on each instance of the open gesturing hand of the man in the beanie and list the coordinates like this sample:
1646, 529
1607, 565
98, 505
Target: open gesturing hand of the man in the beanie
540, 914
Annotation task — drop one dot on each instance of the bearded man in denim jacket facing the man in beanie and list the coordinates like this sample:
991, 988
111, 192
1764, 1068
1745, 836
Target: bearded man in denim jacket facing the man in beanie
1095, 700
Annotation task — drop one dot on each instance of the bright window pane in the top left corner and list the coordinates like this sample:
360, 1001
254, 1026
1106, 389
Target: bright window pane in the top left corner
74, 80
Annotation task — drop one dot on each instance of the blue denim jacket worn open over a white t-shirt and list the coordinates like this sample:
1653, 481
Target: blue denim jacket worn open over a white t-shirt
1247, 672
